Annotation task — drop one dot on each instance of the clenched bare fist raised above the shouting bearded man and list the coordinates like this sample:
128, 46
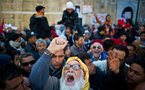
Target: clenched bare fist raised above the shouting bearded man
57, 44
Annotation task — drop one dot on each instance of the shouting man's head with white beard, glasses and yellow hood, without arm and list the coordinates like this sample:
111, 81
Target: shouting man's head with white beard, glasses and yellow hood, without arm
75, 75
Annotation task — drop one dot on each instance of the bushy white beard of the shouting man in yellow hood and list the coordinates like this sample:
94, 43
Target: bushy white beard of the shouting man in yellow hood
79, 84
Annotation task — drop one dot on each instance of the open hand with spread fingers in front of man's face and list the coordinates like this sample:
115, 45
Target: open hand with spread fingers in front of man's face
113, 62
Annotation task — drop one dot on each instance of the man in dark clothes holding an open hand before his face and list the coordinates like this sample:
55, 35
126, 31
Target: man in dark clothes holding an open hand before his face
115, 68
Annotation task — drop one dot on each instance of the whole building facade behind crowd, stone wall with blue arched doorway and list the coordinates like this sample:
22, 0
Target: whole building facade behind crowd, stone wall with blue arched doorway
18, 12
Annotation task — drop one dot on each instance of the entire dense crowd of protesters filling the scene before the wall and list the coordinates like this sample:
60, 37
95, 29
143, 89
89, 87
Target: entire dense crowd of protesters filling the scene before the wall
68, 56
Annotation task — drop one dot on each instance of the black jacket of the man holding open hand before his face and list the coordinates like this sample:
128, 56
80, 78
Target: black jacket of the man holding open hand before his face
116, 81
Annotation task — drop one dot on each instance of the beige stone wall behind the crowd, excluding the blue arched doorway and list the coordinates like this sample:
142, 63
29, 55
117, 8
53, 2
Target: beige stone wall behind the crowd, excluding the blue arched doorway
18, 12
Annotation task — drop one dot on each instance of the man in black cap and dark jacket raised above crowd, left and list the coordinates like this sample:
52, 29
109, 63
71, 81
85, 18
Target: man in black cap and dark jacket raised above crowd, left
39, 23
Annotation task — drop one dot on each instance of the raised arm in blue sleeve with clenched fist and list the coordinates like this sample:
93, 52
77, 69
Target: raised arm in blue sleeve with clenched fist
40, 71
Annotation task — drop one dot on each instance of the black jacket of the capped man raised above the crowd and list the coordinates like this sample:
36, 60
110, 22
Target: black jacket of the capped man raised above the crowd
40, 26
